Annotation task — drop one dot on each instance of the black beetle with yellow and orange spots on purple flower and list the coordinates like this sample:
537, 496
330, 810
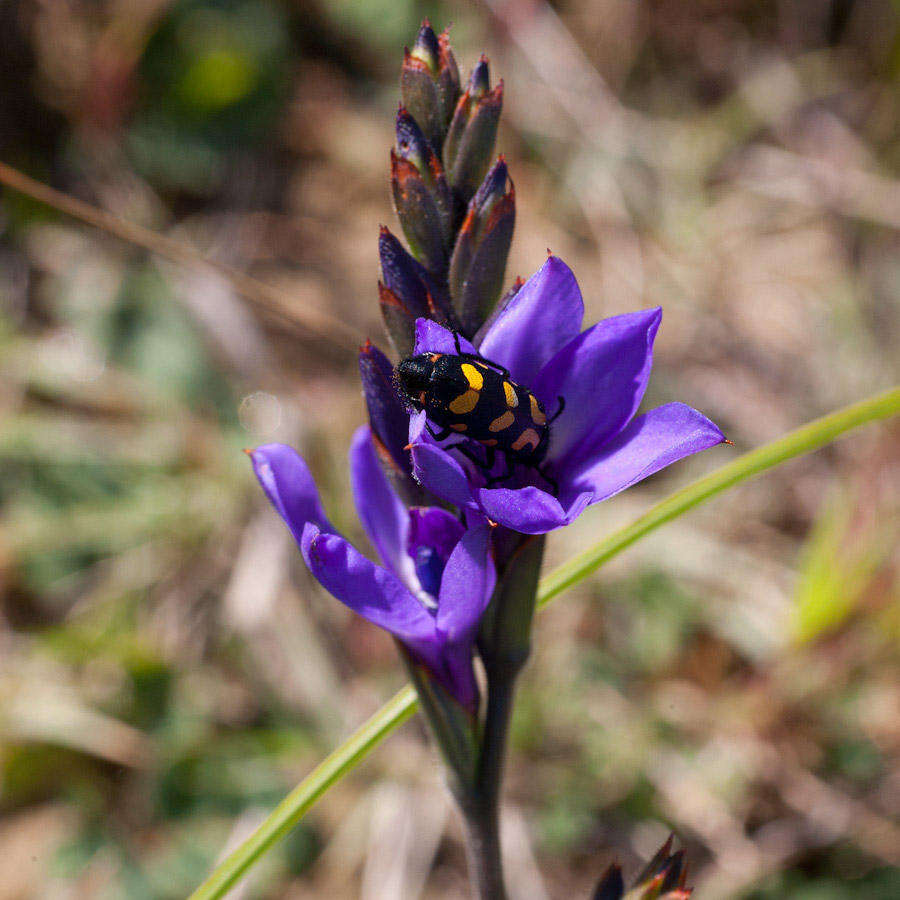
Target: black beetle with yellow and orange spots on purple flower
470, 396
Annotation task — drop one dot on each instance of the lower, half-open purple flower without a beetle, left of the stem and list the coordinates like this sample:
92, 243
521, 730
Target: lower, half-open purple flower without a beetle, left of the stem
437, 575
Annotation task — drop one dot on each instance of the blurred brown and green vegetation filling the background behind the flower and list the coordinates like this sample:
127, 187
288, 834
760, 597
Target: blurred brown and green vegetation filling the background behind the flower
167, 668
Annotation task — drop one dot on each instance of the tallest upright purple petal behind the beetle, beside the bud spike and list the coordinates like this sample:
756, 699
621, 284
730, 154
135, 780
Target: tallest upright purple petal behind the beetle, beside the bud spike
541, 319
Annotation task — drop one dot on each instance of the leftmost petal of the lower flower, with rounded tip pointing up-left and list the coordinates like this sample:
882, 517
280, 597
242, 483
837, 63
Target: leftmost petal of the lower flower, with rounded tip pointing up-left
289, 486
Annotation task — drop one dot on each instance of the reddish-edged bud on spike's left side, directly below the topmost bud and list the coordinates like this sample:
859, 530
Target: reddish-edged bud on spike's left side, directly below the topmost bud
422, 197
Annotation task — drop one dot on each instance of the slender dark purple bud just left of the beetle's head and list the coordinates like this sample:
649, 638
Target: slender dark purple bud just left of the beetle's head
388, 419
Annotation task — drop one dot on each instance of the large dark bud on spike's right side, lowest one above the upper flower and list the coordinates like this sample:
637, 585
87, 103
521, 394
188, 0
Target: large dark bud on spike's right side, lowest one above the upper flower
478, 264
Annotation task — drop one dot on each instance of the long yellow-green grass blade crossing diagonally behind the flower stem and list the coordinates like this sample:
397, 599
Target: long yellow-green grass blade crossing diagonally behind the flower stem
396, 711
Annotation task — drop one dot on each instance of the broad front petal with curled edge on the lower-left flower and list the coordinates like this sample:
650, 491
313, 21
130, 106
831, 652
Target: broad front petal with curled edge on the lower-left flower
373, 592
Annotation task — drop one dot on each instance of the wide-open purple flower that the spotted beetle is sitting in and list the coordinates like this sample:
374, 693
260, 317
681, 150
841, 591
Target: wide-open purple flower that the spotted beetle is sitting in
598, 446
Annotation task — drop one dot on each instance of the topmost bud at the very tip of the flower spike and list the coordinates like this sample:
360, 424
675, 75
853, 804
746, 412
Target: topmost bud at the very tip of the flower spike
429, 84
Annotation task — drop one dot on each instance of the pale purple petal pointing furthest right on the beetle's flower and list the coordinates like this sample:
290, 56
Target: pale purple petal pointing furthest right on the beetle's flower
649, 443
